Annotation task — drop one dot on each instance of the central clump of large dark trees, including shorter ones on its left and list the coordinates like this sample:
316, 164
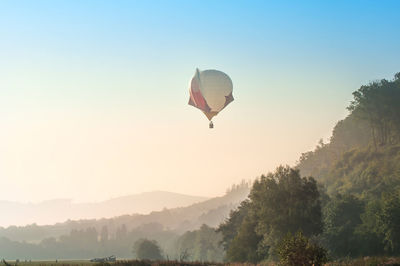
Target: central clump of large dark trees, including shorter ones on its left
278, 203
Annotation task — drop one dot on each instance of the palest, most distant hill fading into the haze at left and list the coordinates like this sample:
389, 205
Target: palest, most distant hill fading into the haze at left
52, 211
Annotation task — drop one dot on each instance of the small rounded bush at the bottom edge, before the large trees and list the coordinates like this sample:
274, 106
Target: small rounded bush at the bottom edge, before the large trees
296, 250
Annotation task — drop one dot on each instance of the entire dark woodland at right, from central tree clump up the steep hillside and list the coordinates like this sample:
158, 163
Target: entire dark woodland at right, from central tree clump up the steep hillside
340, 200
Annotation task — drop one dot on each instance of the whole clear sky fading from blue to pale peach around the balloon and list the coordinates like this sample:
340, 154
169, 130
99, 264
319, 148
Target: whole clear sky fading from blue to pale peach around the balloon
93, 94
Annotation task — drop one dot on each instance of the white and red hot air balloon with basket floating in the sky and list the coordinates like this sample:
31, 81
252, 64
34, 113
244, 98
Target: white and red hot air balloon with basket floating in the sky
210, 91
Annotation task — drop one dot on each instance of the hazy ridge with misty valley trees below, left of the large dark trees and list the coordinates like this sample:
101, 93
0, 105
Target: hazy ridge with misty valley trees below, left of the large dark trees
180, 233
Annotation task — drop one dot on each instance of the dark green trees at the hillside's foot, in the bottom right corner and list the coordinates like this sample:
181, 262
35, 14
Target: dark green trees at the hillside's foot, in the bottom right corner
356, 227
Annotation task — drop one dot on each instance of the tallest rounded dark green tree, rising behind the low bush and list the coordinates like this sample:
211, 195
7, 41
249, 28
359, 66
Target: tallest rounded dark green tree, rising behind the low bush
283, 202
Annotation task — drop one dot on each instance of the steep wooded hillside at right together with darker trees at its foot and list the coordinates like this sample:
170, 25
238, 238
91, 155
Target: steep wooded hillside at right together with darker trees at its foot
362, 163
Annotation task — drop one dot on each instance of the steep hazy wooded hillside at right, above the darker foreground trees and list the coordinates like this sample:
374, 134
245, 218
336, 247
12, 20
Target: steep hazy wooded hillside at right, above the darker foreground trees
363, 155
